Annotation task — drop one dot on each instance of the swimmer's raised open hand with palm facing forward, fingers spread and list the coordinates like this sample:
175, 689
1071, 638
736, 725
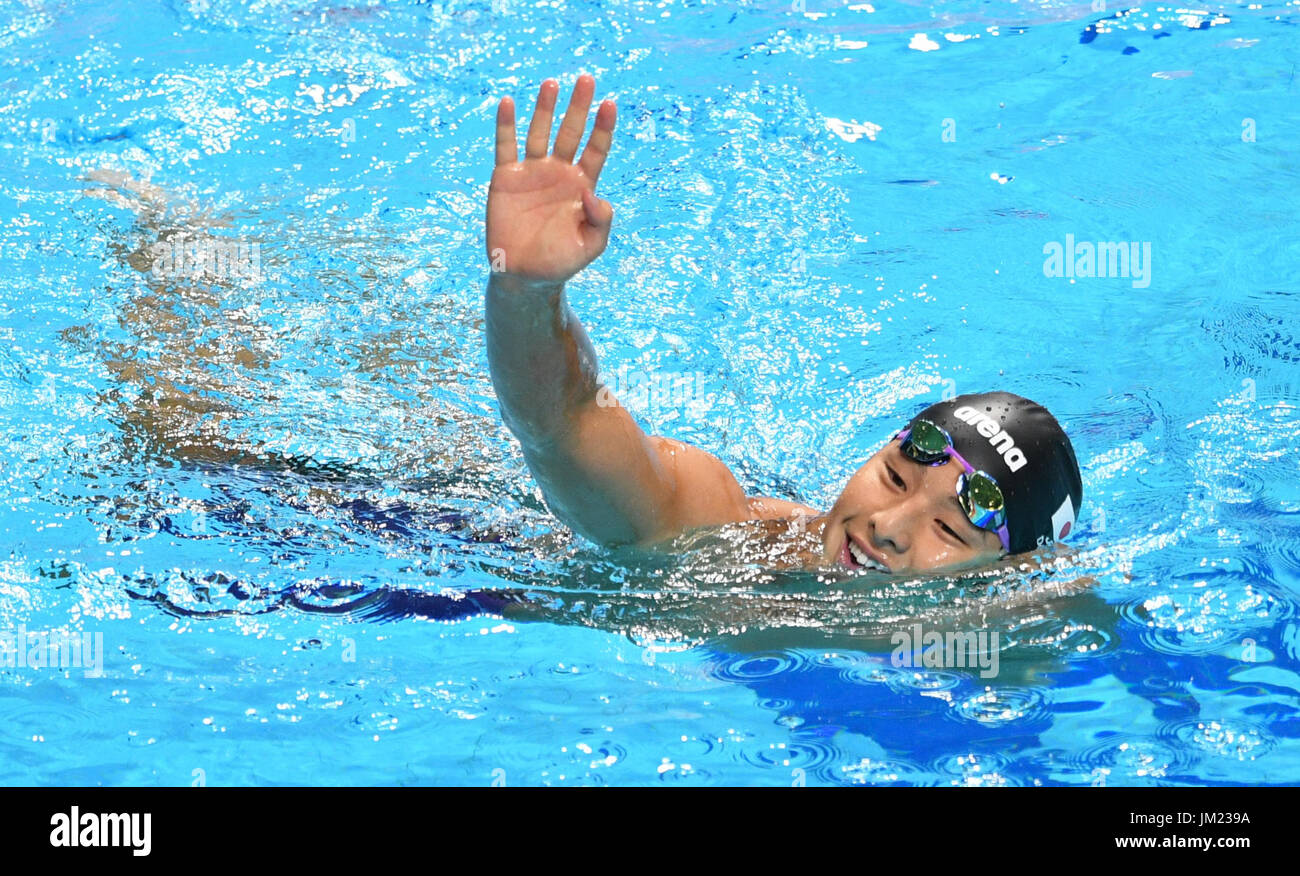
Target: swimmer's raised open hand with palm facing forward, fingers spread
544, 219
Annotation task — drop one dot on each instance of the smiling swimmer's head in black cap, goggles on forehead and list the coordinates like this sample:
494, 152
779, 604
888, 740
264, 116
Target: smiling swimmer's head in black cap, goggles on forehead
903, 514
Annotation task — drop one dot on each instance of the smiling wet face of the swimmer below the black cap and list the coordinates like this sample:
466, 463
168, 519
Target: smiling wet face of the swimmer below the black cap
905, 517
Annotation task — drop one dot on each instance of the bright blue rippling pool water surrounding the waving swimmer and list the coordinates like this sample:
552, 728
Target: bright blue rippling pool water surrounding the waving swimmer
263, 491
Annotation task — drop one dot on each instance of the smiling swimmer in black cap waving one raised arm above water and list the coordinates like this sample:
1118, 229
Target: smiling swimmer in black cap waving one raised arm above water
965, 483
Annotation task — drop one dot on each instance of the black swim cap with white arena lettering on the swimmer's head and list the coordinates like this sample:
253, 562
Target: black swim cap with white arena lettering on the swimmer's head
1026, 452
